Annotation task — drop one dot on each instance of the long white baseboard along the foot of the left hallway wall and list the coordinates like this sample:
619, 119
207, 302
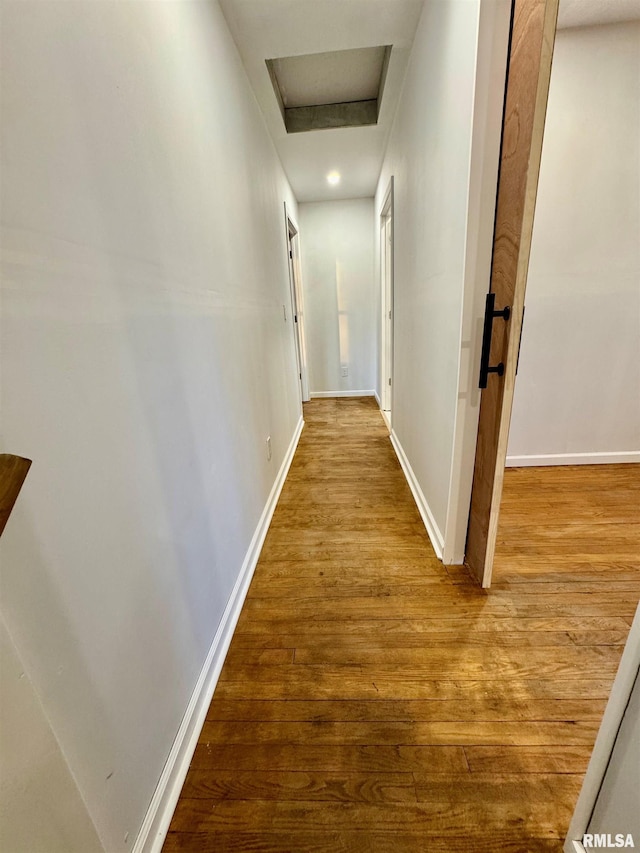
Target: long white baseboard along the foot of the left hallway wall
156, 822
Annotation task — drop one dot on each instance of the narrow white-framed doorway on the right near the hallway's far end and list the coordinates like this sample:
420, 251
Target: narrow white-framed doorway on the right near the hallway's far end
386, 301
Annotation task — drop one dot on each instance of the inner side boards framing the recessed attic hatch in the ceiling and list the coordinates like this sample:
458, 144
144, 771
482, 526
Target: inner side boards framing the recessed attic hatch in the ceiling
359, 113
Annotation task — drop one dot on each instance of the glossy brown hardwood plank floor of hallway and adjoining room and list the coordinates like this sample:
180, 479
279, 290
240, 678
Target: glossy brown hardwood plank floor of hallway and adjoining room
375, 701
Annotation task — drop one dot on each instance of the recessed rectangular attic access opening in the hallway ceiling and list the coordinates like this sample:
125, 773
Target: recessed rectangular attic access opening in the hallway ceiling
341, 88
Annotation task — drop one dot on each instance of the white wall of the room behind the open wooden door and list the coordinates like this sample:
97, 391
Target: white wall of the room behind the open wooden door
578, 386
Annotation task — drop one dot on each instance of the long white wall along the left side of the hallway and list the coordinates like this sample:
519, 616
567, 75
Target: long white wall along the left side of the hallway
145, 360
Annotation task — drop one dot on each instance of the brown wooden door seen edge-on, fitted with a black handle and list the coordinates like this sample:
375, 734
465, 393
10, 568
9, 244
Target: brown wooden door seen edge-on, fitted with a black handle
527, 90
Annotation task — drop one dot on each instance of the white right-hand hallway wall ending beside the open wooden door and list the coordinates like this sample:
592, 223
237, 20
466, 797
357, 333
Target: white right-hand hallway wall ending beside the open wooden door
443, 153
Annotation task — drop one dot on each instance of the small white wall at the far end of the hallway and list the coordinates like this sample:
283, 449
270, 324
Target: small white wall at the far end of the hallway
340, 292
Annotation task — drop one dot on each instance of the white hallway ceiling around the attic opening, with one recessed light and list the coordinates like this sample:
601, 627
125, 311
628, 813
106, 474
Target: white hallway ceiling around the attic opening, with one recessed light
269, 29
